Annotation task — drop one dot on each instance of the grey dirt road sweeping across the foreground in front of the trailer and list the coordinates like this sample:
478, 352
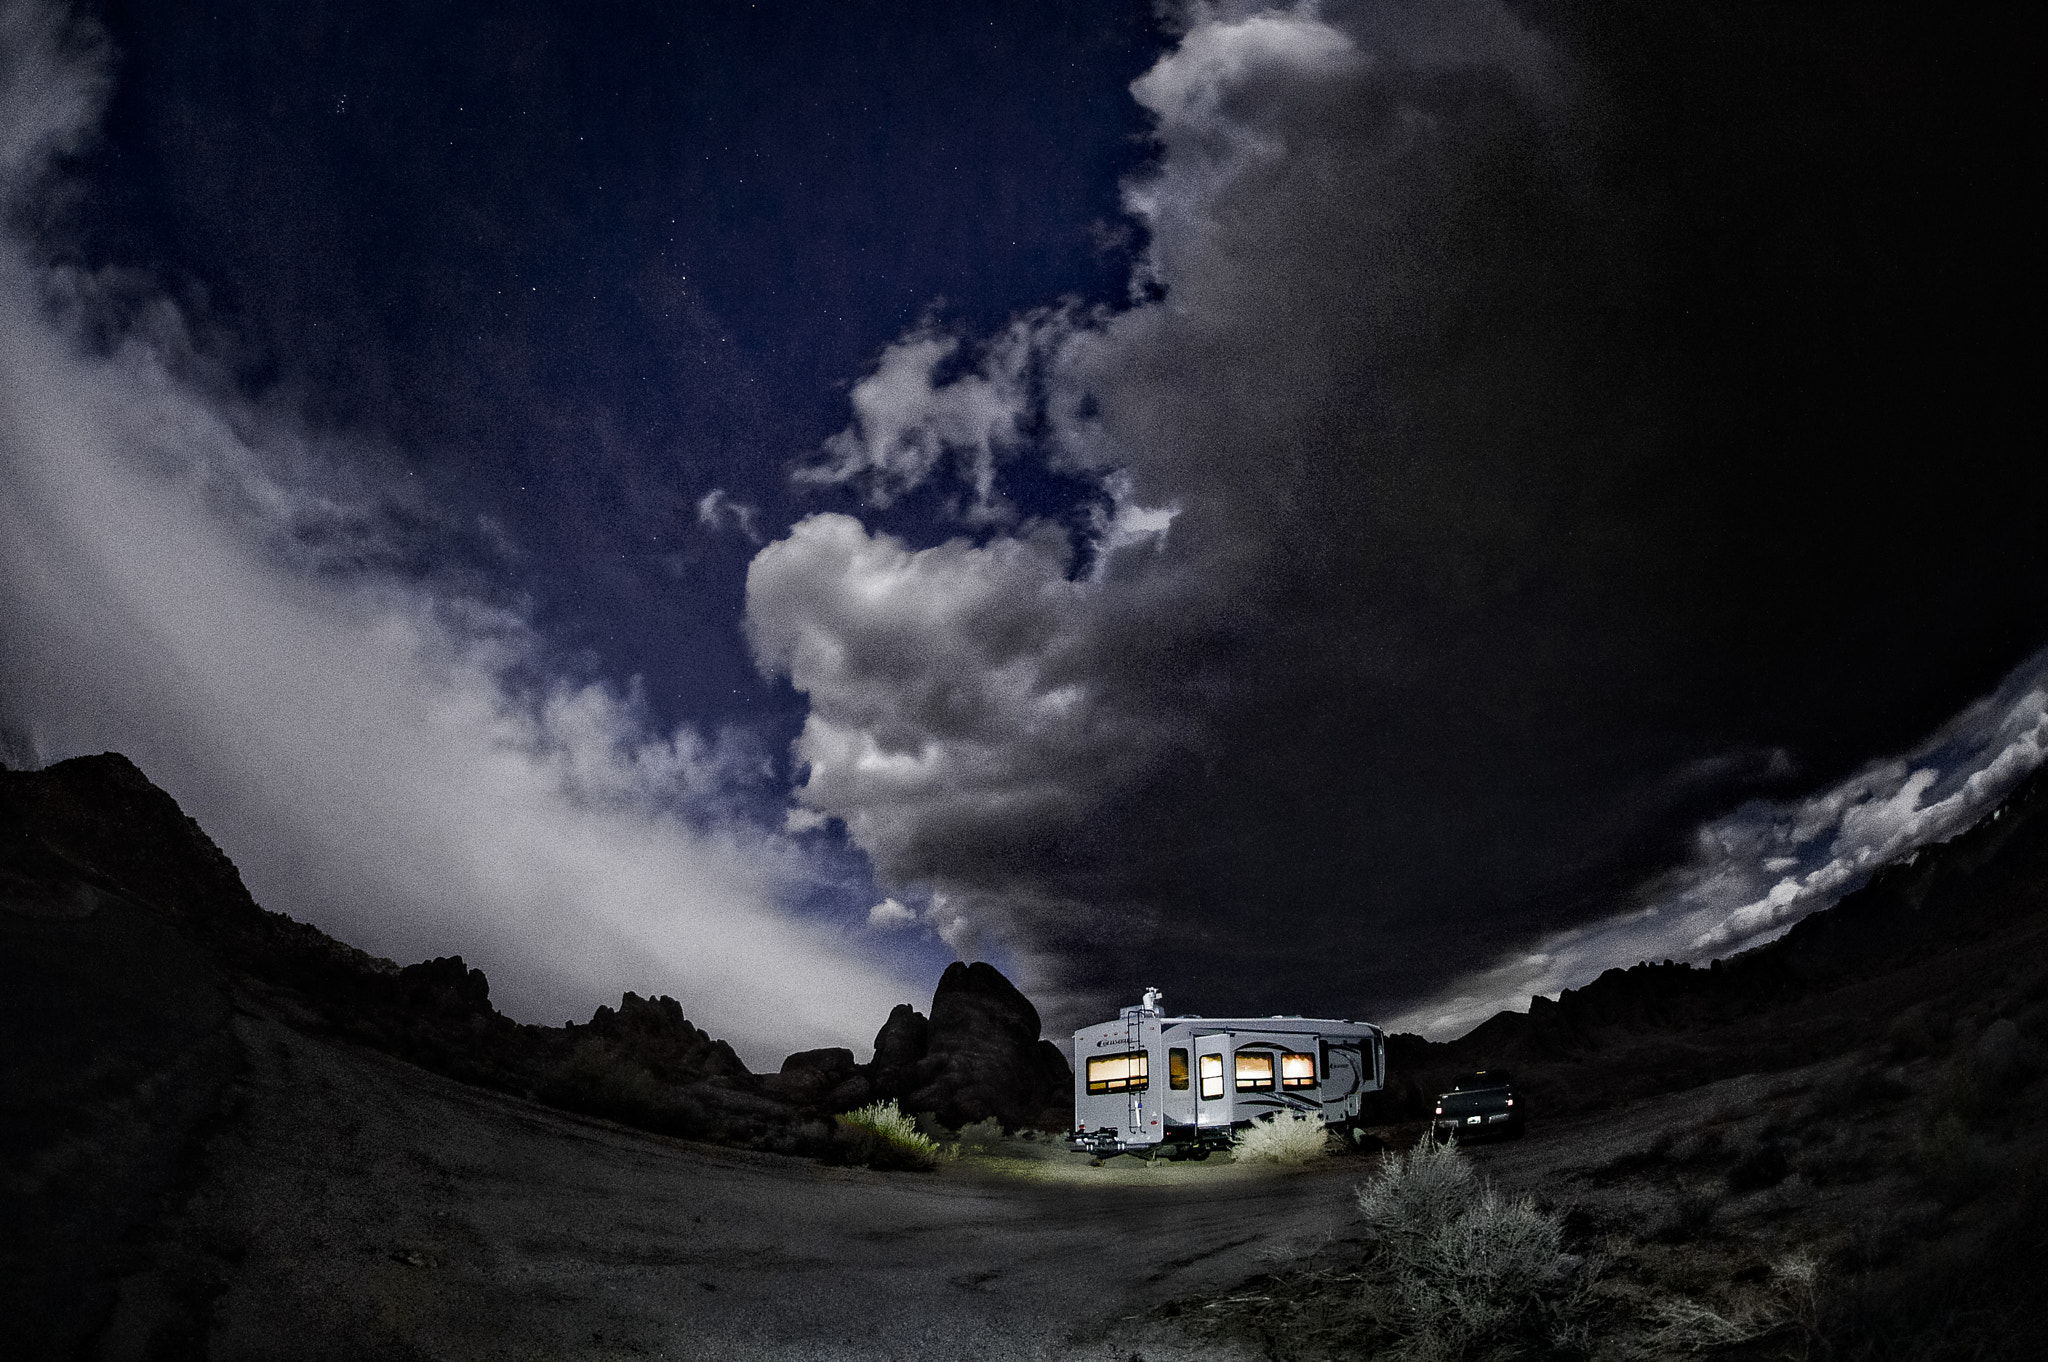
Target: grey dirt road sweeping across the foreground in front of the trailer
357, 1207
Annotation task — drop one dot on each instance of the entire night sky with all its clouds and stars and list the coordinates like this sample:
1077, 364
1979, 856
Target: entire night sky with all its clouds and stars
1359, 509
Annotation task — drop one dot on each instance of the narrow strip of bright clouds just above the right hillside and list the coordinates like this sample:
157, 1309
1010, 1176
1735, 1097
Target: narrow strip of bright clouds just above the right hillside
1764, 867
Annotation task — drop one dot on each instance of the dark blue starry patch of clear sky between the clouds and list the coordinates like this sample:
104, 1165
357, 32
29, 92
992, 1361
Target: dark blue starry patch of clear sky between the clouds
589, 263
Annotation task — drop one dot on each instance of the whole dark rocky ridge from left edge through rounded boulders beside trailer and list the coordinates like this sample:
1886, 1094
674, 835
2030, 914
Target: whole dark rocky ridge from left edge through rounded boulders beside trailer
95, 833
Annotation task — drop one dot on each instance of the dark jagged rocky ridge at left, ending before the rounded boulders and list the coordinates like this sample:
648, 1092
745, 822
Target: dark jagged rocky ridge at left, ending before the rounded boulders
95, 833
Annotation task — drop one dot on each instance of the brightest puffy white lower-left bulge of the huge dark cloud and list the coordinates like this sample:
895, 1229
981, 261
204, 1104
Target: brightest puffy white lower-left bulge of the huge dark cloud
947, 687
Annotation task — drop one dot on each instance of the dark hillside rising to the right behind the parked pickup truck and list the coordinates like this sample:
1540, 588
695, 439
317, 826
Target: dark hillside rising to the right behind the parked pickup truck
1961, 931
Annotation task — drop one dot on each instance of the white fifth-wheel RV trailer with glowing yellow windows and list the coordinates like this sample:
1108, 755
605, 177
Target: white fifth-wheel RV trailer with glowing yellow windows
1185, 1082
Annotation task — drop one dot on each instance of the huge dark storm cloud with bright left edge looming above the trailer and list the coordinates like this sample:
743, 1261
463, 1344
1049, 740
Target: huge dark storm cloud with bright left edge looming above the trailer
1410, 613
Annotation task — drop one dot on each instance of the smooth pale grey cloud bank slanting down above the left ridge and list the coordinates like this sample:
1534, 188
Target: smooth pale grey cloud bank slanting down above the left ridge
390, 755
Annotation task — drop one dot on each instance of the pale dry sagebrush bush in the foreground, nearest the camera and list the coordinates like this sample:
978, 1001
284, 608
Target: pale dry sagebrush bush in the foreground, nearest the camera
1459, 1269
